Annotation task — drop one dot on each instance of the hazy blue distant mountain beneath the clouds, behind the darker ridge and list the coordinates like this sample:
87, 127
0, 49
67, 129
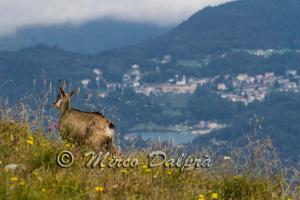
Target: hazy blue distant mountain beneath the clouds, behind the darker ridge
90, 37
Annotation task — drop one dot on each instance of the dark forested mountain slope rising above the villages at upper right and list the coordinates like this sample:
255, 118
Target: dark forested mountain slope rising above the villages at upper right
240, 24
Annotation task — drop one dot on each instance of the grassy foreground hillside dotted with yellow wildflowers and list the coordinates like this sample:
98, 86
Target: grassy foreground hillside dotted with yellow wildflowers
38, 176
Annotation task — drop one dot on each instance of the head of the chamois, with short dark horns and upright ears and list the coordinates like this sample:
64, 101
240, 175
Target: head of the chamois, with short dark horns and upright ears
63, 100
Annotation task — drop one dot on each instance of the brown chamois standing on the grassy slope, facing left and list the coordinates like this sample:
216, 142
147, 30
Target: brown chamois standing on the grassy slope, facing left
90, 128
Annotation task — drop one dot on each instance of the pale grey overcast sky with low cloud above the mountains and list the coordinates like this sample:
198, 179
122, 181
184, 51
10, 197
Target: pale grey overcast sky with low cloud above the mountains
15, 14
